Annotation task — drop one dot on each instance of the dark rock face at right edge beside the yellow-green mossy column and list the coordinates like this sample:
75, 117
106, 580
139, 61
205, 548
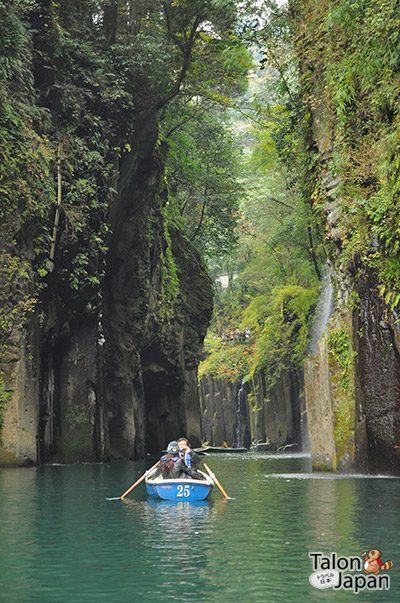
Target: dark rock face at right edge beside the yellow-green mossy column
378, 381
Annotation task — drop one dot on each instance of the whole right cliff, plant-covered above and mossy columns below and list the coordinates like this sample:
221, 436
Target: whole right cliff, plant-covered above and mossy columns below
348, 58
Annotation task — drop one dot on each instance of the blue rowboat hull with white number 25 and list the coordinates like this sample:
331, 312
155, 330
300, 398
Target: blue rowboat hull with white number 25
179, 489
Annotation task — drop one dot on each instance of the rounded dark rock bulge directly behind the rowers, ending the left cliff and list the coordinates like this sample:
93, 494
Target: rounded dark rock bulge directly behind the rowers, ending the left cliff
170, 357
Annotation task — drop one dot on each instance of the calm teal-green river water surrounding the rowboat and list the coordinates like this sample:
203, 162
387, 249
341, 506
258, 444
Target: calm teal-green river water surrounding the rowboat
63, 540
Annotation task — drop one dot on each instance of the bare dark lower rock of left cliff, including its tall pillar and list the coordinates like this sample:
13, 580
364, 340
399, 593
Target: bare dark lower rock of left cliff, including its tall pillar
115, 377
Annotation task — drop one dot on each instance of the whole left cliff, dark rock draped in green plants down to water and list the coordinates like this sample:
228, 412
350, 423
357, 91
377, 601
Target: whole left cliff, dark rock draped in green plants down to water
104, 303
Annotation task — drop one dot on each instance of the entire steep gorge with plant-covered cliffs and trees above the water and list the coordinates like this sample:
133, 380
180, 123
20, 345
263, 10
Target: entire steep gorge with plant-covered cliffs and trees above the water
101, 344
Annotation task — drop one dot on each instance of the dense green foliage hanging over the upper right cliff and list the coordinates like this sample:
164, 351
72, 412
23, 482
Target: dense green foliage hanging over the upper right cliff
354, 47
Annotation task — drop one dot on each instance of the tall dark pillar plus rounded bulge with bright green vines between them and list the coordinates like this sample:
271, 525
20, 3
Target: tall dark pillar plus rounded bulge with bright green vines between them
158, 303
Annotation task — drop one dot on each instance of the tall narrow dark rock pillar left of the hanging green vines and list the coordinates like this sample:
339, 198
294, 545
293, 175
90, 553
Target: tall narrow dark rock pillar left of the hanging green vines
131, 279
